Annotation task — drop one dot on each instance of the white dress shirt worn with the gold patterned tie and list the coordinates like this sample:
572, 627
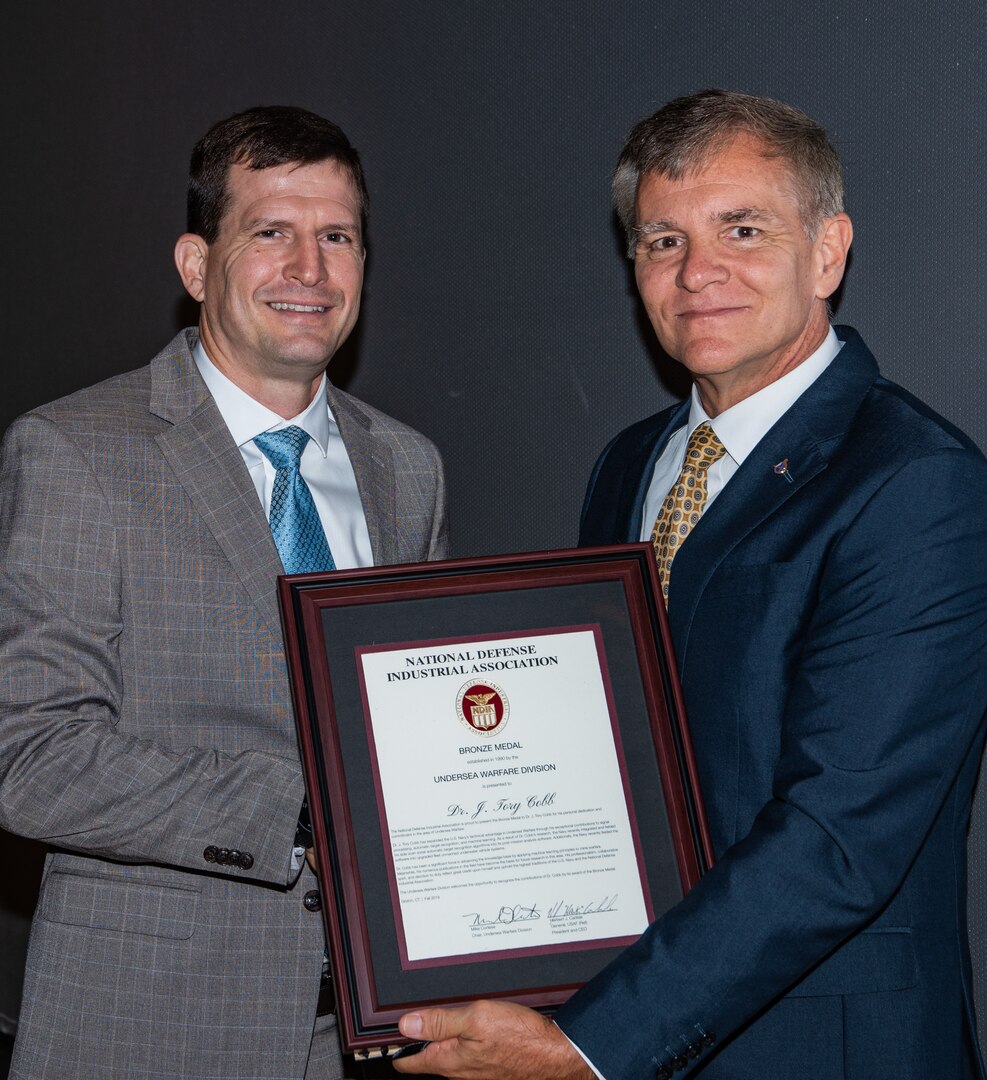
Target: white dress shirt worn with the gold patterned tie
739, 428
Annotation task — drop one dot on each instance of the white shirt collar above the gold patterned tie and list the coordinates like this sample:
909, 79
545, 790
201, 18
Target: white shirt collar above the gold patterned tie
745, 425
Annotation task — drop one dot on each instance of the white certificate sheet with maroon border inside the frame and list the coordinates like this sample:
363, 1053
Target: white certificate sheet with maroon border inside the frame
503, 792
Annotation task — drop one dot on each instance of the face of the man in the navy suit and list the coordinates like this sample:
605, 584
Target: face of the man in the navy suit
733, 283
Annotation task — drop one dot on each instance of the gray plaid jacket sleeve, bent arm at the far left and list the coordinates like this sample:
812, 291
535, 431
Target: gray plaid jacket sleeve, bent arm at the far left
69, 774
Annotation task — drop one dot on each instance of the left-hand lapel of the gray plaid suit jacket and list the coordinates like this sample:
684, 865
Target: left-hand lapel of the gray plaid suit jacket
209, 466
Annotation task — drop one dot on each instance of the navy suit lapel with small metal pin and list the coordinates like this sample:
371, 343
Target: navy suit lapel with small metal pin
805, 439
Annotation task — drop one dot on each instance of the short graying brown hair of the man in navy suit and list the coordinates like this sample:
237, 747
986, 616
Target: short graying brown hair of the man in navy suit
687, 132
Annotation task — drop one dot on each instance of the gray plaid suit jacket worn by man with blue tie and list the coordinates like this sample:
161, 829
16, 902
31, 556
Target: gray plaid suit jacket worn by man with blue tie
145, 715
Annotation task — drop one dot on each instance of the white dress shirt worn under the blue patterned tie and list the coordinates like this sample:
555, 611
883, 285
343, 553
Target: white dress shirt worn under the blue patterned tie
326, 465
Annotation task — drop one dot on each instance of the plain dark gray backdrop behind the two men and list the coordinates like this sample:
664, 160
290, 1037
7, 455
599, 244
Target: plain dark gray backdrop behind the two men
499, 314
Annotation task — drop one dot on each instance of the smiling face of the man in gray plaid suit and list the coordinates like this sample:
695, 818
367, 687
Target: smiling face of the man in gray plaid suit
280, 287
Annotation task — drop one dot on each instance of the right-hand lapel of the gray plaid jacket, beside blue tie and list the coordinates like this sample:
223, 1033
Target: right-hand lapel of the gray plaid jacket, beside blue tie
374, 468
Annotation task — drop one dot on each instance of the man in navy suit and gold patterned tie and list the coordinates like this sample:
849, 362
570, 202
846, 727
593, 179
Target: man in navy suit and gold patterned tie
821, 537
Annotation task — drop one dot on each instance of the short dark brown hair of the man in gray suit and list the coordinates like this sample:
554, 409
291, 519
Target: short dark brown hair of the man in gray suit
262, 138
